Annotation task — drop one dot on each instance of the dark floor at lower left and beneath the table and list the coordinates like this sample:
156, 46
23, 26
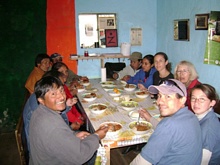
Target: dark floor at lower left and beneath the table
9, 152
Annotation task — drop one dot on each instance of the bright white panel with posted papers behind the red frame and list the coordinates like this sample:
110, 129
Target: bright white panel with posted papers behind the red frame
92, 29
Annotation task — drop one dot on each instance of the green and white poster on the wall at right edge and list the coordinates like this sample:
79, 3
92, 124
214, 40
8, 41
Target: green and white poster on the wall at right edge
212, 52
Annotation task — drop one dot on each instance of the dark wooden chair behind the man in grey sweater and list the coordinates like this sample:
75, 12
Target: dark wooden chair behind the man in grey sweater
21, 142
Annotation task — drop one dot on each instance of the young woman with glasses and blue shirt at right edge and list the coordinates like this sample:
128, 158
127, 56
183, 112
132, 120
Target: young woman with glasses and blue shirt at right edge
203, 99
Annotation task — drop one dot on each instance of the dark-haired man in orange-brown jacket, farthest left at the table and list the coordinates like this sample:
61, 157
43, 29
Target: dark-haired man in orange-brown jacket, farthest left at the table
42, 65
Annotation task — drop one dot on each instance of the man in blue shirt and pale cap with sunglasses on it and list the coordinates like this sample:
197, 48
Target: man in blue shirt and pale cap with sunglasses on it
177, 138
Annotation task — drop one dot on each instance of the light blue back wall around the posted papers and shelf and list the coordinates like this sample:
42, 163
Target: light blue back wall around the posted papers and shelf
130, 14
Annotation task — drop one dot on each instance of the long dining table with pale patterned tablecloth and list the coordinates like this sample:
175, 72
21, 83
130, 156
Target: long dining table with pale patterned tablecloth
115, 112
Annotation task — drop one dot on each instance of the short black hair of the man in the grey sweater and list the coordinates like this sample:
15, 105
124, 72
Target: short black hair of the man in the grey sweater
45, 84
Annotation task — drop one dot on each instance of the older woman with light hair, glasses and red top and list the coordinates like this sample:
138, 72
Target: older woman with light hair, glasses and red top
187, 74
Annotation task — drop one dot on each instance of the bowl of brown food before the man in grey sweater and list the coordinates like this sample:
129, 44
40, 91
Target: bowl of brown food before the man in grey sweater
113, 128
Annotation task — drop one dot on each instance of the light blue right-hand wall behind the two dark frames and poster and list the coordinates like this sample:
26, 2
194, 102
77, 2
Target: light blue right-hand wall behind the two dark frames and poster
194, 49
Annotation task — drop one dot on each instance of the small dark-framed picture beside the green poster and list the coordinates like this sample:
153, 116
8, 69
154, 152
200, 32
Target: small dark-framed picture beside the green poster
201, 21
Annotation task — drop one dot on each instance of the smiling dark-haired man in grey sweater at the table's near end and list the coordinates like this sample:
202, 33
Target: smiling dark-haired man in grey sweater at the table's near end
51, 139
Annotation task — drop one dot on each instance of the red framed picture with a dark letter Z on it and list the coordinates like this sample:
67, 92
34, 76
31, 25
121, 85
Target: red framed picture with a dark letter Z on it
111, 38
